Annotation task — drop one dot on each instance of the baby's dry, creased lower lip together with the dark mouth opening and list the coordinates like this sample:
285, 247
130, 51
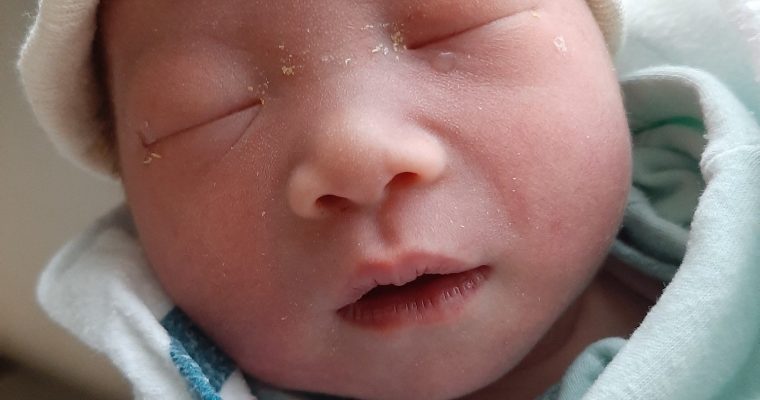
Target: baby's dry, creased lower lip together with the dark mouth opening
428, 299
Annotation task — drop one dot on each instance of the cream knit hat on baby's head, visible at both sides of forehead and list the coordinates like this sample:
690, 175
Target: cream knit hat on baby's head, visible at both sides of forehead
58, 75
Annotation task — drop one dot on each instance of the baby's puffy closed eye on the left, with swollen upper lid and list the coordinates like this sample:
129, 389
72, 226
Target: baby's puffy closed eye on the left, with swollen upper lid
199, 90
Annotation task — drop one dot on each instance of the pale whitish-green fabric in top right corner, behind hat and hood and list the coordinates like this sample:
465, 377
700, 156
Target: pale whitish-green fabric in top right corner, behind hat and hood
701, 34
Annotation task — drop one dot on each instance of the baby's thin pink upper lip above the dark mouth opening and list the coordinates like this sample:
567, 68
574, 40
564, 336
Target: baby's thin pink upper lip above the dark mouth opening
400, 271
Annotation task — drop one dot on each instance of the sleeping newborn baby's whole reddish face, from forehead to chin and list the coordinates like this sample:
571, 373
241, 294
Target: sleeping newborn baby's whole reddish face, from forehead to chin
281, 158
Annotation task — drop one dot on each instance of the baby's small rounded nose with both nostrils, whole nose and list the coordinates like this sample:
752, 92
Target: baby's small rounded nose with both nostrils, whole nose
356, 162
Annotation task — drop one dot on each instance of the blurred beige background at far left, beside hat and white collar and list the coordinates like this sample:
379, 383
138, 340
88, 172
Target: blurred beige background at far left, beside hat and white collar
44, 201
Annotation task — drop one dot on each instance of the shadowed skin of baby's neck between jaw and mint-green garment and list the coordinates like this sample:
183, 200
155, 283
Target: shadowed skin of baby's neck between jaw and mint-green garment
608, 308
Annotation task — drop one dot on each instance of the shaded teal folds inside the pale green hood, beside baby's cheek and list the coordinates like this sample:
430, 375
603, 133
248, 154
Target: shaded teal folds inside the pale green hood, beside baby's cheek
666, 185
